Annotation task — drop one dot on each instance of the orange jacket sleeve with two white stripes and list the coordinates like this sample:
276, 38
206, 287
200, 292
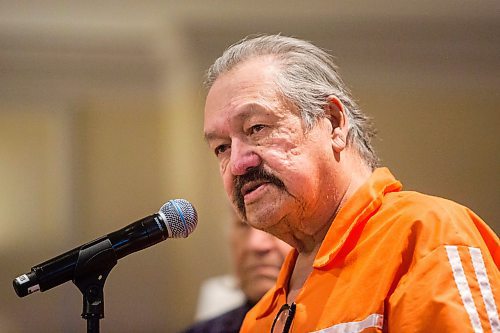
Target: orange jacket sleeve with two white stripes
454, 288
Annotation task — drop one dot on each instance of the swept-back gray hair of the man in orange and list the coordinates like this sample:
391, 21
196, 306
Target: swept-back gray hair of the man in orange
307, 77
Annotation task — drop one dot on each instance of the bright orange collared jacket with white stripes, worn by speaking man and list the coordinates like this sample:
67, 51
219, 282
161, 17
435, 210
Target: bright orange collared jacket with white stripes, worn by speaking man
394, 261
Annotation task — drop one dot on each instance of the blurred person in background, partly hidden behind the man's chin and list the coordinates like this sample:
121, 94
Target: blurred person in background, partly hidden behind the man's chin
256, 260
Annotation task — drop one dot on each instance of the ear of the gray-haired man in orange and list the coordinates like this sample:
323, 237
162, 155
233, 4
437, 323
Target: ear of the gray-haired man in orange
340, 123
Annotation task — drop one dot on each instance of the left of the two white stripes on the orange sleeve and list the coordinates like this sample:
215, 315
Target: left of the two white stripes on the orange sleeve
463, 287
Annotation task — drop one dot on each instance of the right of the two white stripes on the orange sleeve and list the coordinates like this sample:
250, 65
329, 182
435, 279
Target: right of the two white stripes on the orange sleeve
485, 287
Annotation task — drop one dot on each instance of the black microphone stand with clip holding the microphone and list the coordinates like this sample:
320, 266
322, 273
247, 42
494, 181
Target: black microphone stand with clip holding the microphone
95, 261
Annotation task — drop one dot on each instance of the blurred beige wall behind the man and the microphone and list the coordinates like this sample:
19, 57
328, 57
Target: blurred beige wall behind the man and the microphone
101, 123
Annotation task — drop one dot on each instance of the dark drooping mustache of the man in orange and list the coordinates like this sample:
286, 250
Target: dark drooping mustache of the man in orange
254, 174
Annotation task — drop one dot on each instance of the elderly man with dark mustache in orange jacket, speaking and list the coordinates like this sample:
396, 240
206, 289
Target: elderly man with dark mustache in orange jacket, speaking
296, 161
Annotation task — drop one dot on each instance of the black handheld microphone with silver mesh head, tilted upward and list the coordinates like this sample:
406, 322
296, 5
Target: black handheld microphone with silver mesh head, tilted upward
176, 218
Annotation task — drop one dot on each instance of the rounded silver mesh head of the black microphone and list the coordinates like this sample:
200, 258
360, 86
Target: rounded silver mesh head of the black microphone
180, 218
